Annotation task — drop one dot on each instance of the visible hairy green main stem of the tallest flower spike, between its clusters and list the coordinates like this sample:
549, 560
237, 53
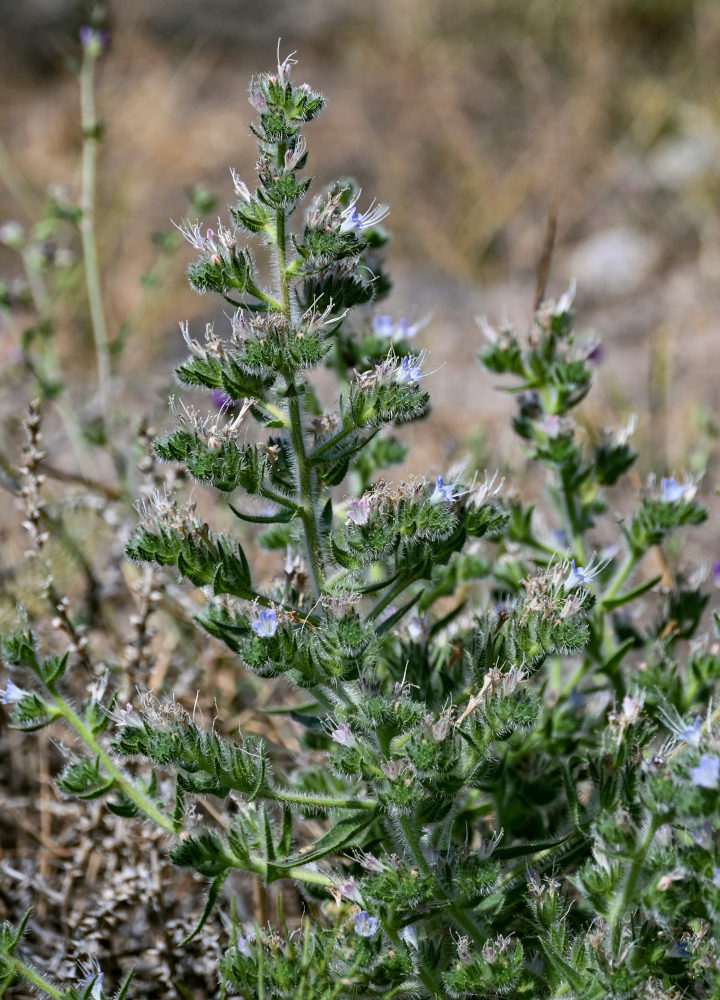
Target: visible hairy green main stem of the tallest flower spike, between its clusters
304, 471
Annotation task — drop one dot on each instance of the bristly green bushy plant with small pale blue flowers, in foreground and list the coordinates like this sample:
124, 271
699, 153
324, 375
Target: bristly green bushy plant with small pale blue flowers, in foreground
516, 777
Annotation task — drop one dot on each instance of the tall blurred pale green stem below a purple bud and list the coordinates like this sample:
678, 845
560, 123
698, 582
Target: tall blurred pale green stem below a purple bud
87, 233
